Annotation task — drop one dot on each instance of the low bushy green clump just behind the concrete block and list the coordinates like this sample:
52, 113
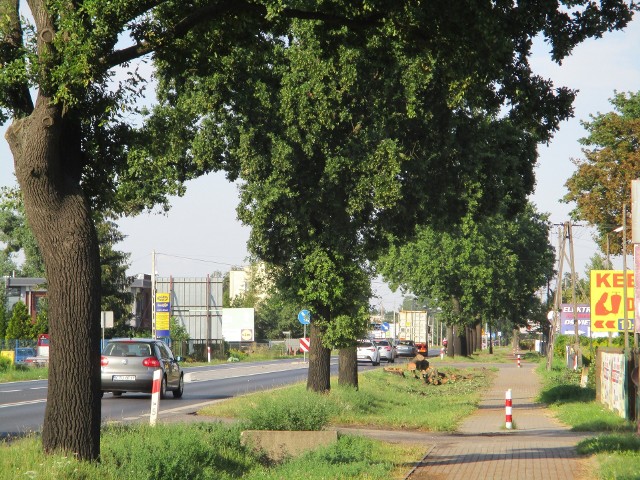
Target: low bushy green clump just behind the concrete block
309, 412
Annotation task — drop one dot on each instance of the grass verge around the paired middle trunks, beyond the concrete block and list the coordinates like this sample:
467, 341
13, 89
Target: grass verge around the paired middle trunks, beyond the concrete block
383, 400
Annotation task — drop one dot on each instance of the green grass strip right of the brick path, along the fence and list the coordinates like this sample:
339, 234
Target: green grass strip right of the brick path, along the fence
616, 448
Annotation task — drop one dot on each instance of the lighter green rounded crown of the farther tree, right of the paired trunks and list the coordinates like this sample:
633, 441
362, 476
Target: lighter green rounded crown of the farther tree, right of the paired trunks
478, 271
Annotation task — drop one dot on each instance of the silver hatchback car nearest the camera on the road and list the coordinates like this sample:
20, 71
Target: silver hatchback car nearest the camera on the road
127, 365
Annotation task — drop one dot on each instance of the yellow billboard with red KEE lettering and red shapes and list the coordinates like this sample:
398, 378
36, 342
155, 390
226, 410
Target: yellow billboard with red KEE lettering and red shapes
607, 300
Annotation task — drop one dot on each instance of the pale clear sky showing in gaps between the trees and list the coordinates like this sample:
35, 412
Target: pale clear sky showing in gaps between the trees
201, 235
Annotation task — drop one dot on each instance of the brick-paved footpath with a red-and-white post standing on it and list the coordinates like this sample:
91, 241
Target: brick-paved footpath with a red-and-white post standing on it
538, 447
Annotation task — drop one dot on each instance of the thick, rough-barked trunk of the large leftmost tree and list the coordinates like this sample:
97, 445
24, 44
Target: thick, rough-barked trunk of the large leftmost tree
46, 157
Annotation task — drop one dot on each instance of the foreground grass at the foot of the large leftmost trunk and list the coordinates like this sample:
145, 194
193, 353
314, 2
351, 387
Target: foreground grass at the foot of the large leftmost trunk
202, 452
